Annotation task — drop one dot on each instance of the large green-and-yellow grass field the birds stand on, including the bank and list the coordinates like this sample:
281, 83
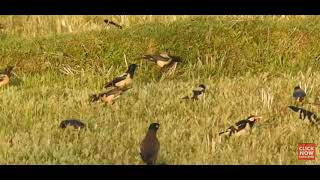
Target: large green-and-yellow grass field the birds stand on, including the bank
250, 65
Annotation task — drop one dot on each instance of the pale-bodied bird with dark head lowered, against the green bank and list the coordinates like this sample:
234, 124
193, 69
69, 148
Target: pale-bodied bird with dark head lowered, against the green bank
162, 59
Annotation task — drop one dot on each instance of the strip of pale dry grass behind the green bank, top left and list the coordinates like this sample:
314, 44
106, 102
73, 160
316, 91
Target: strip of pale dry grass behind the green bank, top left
35, 26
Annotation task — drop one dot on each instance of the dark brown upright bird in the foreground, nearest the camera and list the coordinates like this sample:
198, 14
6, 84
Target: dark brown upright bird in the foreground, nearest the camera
149, 147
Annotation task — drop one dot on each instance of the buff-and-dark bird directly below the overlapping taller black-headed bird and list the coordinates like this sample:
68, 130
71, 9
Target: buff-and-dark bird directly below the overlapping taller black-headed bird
108, 97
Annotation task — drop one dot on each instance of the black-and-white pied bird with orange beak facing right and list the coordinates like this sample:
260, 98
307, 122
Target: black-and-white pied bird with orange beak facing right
242, 126
